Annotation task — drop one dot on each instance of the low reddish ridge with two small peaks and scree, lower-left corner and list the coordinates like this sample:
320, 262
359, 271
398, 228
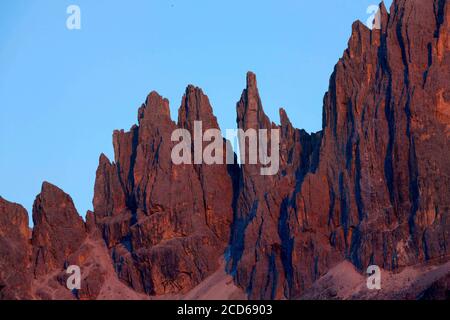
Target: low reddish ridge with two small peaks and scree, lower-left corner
33, 265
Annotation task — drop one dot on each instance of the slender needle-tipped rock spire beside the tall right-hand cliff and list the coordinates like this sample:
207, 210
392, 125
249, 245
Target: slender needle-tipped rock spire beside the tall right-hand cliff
261, 243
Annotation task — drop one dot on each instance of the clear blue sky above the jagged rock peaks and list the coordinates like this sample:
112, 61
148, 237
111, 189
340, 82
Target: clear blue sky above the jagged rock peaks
63, 92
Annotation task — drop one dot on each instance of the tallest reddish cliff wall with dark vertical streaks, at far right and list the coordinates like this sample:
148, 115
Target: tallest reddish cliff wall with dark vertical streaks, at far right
379, 156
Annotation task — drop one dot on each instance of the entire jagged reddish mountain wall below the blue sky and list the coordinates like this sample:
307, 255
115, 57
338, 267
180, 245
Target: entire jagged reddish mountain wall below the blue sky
370, 188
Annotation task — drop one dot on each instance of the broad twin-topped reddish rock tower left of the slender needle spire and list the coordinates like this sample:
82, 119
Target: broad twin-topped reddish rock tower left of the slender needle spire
165, 224
